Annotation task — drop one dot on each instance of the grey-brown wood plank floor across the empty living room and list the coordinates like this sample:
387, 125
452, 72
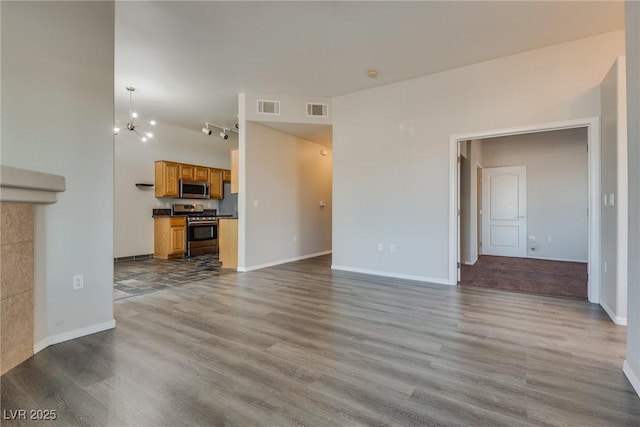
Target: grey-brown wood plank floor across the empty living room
299, 344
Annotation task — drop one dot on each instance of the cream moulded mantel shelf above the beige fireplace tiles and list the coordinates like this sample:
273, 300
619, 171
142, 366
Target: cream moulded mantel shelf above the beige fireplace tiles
26, 186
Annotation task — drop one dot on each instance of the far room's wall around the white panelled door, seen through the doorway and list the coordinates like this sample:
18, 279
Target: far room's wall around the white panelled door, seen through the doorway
557, 188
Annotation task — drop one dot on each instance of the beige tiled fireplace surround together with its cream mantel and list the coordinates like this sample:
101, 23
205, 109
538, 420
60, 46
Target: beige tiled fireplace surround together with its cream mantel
20, 191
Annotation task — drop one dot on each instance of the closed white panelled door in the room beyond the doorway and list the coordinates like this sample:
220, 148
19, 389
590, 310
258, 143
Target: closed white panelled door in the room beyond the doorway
504, 211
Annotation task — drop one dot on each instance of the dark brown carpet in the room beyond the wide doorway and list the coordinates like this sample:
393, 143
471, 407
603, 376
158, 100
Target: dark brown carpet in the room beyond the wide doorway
532, 276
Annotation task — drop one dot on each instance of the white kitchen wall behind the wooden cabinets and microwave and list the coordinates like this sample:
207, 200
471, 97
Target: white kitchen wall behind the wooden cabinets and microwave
134, 162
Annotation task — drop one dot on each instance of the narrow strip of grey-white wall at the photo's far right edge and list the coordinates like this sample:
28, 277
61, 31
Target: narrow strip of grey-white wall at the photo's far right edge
632, 18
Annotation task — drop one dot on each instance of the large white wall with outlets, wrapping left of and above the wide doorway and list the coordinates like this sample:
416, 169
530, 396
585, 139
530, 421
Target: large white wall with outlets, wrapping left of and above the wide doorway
393, 142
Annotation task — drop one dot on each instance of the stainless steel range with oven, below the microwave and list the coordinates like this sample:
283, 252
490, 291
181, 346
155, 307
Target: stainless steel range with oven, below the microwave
202, 229
